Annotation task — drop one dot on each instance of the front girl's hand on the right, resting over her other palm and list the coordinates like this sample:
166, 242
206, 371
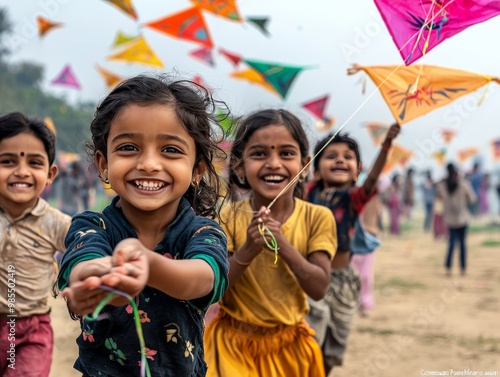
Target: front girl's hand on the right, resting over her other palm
130, 272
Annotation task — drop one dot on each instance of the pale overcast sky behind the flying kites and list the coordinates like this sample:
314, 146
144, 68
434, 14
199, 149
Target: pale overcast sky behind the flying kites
325, 35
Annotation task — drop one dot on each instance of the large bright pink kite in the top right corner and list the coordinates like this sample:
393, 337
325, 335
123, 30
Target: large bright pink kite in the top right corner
418, 26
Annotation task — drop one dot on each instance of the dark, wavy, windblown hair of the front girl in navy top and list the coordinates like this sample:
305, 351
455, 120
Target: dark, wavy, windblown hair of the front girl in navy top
196, 110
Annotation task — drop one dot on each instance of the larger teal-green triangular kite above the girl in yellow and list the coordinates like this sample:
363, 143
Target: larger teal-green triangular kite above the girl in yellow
281, 77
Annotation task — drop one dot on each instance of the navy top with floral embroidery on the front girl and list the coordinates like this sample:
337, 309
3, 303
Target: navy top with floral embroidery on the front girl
173, 329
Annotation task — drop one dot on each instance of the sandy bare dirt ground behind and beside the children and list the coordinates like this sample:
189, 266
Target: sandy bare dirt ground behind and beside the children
424, 322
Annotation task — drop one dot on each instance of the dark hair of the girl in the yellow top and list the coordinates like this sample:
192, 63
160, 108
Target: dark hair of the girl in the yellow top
256, 121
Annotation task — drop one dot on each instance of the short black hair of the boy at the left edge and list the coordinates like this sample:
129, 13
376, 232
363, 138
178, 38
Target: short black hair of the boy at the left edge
15, 123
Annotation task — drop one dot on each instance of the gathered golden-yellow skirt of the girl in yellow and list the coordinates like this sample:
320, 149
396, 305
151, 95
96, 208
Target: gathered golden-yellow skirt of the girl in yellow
238, 349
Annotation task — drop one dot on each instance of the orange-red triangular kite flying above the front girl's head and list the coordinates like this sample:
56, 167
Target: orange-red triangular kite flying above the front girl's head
188, 24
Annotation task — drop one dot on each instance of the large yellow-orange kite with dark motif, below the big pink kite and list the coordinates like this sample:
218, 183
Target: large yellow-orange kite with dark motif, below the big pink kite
412, 91
